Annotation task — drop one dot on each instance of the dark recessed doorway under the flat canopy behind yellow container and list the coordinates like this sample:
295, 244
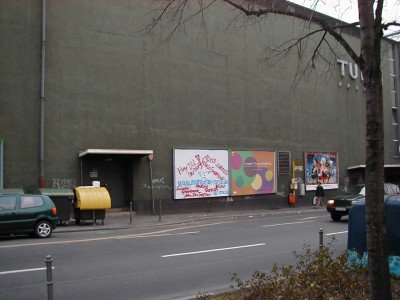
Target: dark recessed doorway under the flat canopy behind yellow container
113, 173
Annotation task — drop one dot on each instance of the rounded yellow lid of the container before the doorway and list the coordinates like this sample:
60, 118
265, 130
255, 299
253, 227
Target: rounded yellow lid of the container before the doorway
92, 198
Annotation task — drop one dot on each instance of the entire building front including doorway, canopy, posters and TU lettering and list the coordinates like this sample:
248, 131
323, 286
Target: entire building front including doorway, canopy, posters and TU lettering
87, 95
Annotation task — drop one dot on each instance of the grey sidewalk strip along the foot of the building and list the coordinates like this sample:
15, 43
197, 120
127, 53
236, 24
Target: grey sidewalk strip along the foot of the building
121, 219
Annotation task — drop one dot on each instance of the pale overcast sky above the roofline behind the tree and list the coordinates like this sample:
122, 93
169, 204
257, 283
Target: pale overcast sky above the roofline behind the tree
347, 10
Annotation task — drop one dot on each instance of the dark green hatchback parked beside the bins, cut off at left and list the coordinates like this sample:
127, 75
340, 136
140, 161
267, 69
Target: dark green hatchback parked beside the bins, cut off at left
26, 213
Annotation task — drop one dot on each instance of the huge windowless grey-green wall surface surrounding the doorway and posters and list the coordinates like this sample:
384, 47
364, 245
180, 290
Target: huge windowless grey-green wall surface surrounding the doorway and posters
110, 86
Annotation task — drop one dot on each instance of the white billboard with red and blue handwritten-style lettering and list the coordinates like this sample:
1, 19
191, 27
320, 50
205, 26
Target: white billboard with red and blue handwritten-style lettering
201, 173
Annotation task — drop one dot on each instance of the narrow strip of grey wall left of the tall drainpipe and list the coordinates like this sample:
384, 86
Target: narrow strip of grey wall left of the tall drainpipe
20, 90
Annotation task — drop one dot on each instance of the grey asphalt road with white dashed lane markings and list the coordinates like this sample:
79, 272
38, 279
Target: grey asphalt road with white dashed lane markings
169, 262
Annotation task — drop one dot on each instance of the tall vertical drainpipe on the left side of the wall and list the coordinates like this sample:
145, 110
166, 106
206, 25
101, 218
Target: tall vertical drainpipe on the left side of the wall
42, 98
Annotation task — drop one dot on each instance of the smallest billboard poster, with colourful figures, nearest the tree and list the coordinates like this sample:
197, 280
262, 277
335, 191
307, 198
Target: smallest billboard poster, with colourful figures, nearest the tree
321, 167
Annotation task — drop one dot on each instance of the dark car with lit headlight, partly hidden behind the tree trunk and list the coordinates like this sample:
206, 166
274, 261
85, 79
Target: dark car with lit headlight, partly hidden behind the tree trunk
340, 206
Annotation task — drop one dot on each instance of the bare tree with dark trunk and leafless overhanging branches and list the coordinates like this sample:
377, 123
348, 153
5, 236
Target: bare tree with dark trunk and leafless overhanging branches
371, 26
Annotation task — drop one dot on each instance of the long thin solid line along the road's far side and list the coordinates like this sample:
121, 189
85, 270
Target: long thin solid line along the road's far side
111, 237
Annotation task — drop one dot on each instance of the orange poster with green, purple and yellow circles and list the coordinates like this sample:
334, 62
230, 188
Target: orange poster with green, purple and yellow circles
253, 172
